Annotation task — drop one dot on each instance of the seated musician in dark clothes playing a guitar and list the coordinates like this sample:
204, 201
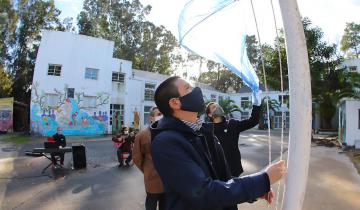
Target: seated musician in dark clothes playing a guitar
123, 143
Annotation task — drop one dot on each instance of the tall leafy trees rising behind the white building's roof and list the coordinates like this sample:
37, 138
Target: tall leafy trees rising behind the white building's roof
149, 47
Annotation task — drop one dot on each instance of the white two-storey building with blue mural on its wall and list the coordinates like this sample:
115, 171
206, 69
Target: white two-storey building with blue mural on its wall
79, 86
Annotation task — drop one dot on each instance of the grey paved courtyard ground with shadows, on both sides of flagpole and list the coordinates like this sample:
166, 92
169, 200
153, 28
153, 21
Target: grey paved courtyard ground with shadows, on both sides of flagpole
333, 181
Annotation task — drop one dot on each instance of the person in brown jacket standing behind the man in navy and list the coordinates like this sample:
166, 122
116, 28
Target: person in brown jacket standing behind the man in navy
142, 158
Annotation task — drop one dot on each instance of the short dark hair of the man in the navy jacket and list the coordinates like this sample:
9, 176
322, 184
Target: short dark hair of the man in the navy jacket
166, 91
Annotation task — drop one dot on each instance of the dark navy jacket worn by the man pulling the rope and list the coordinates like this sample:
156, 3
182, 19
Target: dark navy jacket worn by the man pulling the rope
194, 171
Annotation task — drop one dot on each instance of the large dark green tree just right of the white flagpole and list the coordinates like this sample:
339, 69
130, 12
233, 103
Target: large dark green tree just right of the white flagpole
328, 85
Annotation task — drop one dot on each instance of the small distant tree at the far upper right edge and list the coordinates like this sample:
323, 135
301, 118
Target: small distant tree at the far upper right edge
350, 42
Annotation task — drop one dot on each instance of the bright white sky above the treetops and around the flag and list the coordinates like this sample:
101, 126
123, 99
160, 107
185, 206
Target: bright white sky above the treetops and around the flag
330, 15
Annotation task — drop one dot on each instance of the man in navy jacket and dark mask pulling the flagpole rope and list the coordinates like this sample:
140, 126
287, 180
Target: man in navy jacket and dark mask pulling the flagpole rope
190, 159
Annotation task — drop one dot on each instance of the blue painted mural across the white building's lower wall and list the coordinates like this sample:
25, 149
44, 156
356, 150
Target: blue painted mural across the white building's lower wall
73, 115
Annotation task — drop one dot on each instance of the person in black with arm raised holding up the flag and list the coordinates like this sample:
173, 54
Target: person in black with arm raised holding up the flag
228, 131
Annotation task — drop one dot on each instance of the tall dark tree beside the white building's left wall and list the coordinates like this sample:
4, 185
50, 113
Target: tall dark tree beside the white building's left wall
33, 16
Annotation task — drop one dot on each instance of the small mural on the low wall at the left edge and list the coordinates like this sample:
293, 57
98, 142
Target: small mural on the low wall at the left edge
6, 114
